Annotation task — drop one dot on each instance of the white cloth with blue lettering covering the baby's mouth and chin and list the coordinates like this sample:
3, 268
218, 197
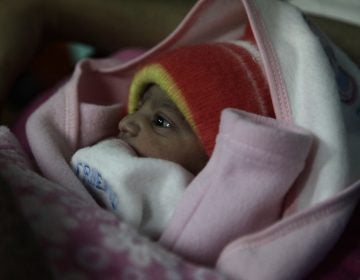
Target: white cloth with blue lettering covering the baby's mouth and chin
142, 191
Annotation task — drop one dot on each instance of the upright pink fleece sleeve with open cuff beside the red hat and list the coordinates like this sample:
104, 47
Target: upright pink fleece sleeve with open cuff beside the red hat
256, 159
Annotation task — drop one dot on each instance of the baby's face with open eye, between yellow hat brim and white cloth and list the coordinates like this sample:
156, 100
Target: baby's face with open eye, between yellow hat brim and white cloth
157, 129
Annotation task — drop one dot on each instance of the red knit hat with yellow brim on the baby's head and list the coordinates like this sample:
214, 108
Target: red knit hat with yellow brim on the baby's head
202, 80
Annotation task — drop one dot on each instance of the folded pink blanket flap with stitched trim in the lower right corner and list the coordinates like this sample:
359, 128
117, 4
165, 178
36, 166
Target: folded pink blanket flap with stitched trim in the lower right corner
305, 237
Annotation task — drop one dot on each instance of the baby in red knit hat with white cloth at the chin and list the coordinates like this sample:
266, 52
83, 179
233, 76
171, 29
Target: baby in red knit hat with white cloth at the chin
174, 108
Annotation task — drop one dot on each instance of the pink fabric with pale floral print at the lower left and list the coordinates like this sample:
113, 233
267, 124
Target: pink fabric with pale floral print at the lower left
80, 239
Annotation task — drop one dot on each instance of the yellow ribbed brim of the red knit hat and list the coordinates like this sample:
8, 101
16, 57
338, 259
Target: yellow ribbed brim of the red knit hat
157, 74
